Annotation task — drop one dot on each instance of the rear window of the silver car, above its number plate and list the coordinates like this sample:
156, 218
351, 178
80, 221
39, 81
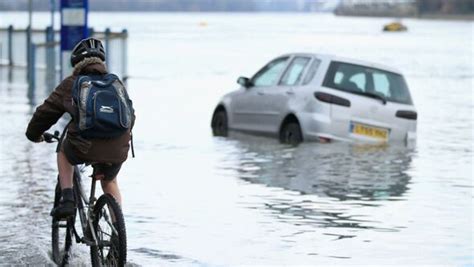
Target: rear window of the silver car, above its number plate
372, 82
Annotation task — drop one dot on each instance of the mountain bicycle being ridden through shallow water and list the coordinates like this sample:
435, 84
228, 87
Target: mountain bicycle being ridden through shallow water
102, 223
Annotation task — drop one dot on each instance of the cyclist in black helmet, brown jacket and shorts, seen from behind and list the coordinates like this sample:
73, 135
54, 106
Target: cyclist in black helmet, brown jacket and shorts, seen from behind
105, 155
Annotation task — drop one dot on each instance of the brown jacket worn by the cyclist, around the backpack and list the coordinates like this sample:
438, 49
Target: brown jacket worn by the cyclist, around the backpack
89, 150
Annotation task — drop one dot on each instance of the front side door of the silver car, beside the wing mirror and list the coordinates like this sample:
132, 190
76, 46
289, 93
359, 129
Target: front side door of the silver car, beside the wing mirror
250, 108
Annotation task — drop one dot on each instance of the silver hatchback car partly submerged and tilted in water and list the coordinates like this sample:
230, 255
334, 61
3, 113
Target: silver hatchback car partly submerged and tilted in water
314, 97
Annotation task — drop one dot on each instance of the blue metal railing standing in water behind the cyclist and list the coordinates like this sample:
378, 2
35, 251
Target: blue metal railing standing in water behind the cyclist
44, 52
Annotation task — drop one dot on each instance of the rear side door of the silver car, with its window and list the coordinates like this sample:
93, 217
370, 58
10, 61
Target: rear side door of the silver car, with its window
277, 98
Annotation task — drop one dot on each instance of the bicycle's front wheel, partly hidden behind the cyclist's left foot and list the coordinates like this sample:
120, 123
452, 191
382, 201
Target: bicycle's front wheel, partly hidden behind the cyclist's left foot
61, 234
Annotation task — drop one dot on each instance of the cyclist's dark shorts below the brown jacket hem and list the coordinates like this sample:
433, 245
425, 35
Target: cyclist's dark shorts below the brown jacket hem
108, 170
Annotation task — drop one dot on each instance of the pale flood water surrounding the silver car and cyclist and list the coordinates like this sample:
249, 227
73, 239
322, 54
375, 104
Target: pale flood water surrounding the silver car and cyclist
191, 199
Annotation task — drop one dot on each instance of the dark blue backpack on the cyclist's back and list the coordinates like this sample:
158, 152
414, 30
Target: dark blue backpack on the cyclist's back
103, 108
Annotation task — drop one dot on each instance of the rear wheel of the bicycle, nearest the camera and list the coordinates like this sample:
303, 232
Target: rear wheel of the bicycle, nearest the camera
109, 227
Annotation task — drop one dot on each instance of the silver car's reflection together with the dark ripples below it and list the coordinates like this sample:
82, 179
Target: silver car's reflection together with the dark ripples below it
360, 175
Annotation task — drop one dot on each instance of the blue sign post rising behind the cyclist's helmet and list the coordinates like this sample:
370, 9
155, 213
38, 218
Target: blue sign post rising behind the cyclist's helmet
73, 29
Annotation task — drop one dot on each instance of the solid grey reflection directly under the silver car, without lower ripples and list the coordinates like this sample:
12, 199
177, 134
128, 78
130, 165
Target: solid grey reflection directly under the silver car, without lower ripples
342, 171
